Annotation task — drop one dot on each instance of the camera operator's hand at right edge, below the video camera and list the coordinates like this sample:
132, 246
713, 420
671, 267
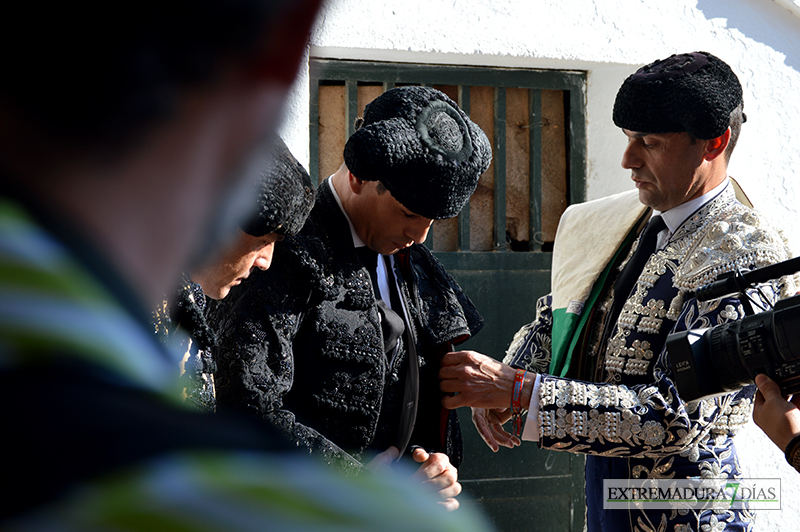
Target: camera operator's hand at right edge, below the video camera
777, 417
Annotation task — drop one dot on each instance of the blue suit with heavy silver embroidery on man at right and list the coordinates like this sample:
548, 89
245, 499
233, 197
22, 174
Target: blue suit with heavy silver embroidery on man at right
626, 412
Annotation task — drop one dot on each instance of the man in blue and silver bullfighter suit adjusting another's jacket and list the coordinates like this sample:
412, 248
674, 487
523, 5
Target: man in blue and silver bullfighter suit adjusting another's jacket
598, 372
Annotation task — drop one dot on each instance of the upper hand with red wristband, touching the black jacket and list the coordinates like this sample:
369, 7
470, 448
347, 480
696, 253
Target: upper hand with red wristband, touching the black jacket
479, 381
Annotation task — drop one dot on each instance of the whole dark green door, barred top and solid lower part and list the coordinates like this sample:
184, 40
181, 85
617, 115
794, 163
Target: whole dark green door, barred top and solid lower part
497, 248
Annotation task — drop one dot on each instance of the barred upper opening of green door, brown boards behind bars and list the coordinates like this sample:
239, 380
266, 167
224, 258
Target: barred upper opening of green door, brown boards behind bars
535, 123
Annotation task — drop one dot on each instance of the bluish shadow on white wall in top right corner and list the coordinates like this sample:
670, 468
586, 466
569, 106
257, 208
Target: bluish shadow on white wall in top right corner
763, 21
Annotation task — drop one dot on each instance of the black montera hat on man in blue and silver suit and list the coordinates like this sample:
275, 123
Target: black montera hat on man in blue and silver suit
694, 92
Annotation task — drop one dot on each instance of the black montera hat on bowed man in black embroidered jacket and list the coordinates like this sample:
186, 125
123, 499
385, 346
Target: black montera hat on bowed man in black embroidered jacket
422, 147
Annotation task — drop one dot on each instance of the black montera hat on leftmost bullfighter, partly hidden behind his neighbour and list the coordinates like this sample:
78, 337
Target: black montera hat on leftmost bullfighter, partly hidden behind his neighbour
284, 196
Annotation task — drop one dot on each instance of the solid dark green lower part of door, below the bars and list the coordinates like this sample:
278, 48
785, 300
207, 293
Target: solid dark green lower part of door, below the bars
524, 488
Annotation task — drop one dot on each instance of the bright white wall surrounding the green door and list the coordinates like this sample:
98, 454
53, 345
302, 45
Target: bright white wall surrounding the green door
760, 39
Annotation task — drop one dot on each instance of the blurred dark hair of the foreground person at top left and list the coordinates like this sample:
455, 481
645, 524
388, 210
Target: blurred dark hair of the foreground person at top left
99, 74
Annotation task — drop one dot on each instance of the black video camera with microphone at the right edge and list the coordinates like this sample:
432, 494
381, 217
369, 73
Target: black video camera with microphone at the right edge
725, 358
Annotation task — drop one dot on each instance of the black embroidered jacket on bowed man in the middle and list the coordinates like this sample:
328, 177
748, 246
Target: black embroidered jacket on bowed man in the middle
301, 344
